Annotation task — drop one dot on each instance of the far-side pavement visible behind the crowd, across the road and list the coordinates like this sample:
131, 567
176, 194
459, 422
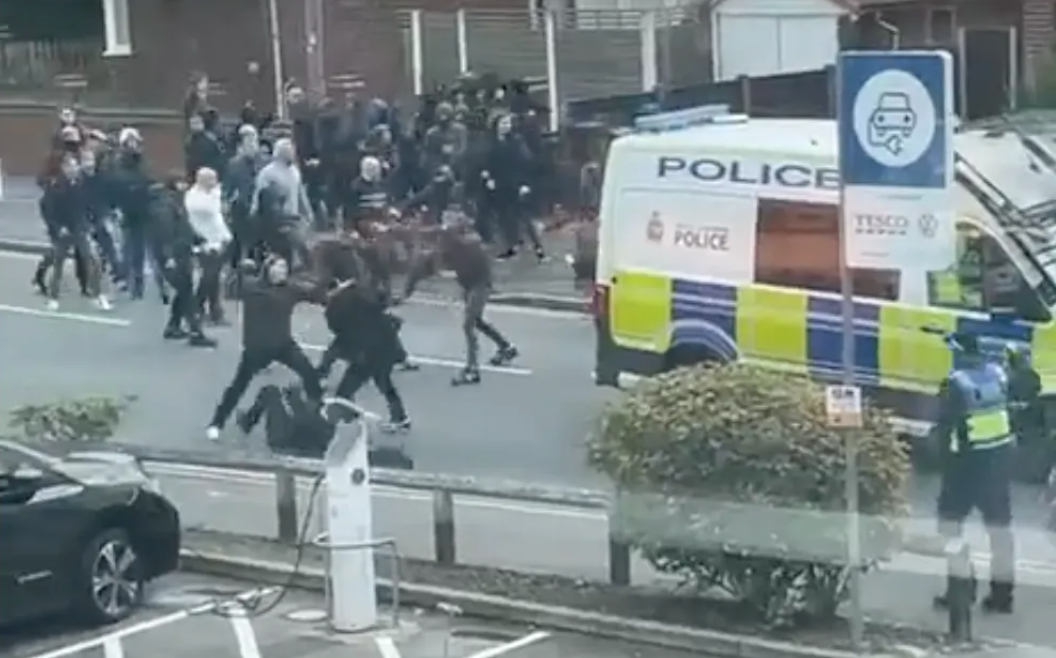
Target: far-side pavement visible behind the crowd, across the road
520, 281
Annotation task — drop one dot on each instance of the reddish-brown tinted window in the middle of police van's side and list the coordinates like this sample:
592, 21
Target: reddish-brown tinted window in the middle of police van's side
798, 247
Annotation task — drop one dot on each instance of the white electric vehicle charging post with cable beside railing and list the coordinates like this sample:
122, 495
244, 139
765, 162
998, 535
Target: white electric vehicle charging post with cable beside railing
349, 539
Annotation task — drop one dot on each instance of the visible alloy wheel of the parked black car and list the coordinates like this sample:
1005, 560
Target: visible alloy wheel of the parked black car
110, 584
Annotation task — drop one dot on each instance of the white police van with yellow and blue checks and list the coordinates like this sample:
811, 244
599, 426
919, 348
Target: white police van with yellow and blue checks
720, 240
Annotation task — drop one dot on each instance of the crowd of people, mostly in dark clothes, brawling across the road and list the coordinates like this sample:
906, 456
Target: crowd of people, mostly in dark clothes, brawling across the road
452, 189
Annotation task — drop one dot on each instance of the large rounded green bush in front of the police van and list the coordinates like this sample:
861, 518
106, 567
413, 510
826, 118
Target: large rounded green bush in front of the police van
729, 477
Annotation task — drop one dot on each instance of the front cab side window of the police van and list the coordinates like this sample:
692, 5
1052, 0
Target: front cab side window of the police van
985, 279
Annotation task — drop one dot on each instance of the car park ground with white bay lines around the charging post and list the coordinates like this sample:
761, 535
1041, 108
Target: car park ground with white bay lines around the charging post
292, 630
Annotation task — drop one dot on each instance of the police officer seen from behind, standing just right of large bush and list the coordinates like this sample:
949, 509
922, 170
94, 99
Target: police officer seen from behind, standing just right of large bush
978, 455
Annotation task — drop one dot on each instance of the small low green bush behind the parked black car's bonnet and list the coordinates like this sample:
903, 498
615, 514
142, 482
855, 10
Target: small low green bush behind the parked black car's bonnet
86, 420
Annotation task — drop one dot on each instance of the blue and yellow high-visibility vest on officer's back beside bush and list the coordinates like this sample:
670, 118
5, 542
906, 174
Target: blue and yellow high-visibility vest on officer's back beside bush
986, 390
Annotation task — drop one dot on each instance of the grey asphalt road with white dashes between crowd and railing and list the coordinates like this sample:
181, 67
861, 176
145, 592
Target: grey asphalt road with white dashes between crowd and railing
526, 422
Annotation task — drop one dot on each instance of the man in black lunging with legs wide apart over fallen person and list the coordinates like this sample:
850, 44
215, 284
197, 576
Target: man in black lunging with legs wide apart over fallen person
268, 311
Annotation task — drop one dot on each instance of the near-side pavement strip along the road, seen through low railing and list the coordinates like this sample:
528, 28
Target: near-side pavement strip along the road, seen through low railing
543, 539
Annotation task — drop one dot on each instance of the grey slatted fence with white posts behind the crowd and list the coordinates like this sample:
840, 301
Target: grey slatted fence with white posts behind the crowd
581, 54
